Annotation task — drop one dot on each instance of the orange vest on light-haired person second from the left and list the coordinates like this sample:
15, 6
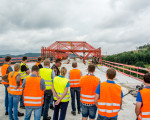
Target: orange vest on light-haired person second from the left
12, 85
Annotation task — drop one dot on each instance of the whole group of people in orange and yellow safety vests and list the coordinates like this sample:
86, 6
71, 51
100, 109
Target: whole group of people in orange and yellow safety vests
46, 86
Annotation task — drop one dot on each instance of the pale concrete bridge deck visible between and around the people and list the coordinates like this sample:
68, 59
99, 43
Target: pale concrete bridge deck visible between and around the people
128, 108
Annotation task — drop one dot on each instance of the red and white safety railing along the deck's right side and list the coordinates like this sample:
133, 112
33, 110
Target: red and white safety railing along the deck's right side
128, 70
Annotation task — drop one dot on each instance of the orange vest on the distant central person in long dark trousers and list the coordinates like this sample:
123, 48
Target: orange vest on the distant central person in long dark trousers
75, 75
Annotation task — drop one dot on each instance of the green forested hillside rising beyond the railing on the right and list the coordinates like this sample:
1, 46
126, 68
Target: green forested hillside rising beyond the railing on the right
139, 57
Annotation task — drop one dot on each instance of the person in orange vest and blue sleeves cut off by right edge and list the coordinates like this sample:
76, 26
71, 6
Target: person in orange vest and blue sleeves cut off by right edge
142, 109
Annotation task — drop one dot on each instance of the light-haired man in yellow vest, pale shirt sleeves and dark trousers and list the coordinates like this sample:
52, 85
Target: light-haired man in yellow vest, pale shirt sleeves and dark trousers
48, 75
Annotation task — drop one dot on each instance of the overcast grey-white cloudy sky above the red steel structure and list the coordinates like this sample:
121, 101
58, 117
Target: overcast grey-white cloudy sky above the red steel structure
113, 25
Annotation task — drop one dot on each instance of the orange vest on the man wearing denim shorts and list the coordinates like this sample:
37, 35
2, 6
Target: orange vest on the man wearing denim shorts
88, 84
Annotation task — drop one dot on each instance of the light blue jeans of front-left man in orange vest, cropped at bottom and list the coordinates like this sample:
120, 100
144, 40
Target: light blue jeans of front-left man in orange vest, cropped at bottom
37, 113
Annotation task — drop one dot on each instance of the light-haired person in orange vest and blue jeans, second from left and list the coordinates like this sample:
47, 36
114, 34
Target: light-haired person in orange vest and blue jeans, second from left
14, 91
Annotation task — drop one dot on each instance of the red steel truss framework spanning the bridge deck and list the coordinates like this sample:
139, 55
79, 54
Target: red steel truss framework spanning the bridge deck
62, 49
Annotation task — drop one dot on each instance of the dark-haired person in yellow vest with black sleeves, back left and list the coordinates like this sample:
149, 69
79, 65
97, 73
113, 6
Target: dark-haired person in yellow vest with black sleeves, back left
24, 72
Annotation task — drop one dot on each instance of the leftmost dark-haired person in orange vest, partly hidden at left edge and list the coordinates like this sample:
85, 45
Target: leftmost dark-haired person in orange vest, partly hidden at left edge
5, 69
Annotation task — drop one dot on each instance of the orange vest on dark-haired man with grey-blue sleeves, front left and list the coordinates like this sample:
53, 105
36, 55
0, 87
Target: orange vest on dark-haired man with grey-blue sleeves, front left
33, 95
